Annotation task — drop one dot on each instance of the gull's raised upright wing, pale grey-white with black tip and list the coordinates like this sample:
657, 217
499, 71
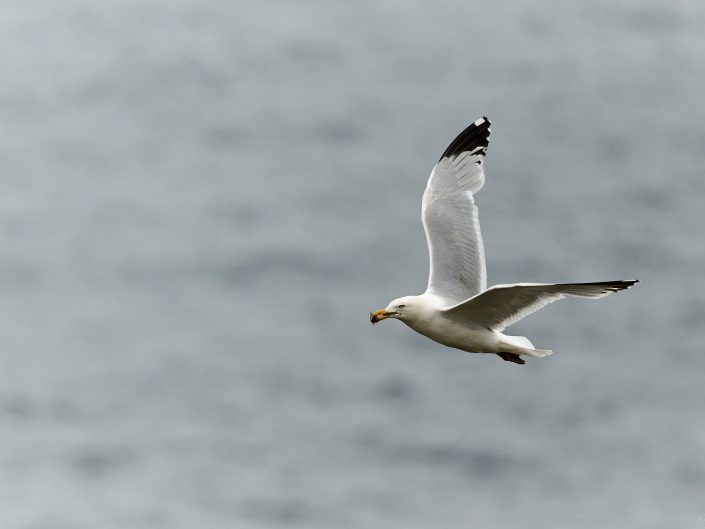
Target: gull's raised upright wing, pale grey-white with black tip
450, 217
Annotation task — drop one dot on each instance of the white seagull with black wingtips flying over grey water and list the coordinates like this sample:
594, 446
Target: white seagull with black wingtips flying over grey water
457, 309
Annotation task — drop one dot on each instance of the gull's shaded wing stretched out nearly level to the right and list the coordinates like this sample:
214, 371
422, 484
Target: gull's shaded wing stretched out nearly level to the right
502, 305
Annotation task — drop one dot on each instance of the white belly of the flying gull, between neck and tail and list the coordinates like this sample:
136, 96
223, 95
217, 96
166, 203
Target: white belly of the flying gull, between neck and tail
453, 334
